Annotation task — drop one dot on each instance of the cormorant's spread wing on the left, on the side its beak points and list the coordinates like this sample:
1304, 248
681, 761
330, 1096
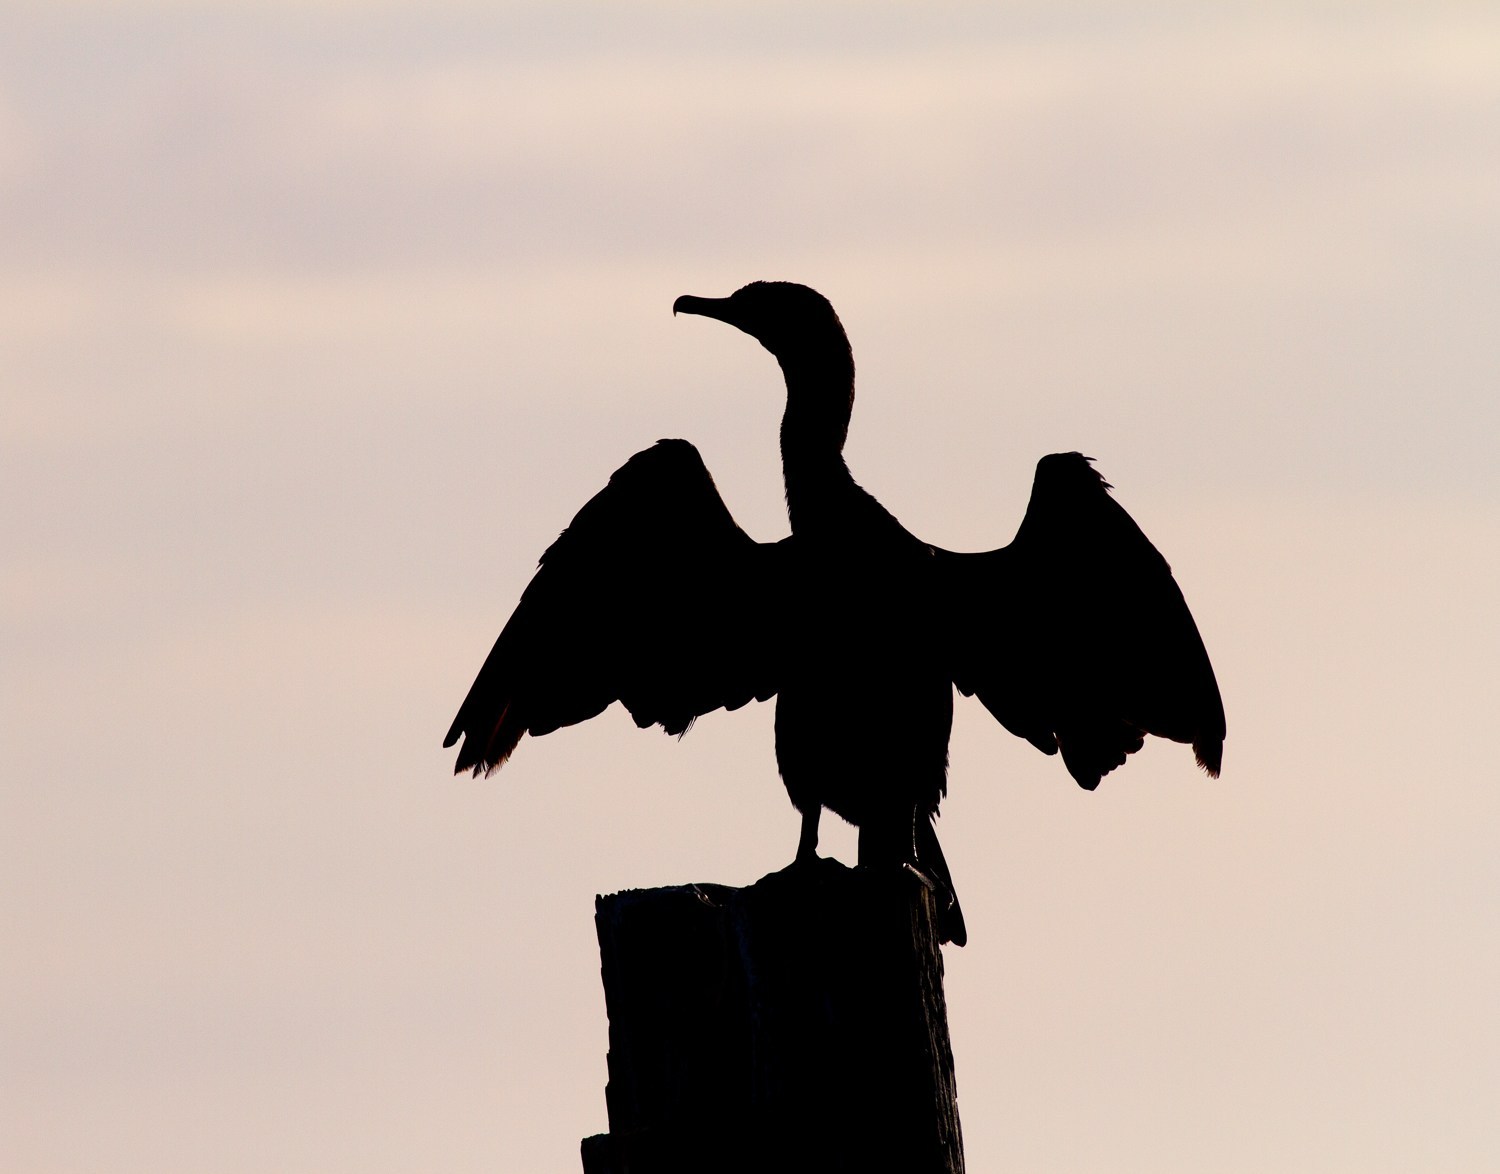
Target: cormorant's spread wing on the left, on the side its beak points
652, 597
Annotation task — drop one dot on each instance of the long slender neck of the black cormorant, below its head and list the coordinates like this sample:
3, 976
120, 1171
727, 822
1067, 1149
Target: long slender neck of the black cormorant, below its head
820, 400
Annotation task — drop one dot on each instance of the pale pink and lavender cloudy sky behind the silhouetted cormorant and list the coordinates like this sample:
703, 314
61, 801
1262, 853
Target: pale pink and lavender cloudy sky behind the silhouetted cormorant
319, 322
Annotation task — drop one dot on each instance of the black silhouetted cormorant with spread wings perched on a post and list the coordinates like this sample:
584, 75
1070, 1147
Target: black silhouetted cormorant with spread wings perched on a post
1075, 636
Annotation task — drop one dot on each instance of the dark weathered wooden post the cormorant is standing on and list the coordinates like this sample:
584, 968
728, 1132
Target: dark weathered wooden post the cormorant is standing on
797, 1025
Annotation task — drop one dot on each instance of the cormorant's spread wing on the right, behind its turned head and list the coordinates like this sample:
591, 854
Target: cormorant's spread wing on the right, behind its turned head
1076, 636
